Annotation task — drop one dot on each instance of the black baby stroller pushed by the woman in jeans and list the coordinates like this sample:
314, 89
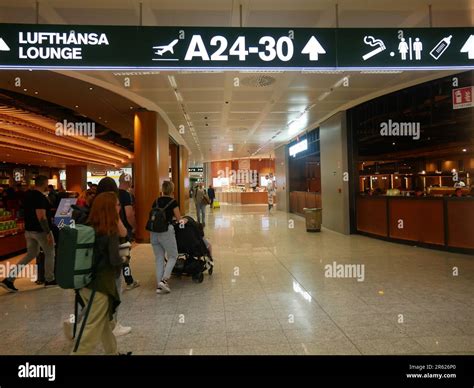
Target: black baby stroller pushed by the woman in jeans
194, 257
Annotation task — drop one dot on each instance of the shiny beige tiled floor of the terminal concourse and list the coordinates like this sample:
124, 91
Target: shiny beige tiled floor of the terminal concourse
269, 295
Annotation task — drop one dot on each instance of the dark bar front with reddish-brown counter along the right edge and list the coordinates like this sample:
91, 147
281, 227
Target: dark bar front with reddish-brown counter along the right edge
414, 164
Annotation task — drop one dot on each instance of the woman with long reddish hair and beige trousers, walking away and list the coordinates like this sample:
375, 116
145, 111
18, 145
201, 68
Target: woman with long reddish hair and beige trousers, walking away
104, 218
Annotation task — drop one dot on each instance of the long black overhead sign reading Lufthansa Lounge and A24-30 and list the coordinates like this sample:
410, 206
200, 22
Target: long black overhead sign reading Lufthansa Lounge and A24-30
127, 47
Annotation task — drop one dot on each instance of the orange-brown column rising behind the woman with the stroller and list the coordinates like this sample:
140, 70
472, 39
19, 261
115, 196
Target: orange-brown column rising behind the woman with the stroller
151, 161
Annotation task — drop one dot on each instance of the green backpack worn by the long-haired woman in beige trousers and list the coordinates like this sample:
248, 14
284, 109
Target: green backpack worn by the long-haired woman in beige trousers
75, 258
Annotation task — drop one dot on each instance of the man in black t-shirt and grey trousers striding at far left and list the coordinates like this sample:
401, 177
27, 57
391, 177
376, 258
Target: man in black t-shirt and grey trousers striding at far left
38, 233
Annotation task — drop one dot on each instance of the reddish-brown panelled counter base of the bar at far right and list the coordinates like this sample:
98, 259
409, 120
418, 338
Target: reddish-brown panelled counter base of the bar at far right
445, 222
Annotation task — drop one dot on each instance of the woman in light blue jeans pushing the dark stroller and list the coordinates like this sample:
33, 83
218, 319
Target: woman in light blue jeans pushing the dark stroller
166, 242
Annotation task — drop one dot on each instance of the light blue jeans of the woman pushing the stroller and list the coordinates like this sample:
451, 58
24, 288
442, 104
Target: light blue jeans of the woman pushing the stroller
161, 243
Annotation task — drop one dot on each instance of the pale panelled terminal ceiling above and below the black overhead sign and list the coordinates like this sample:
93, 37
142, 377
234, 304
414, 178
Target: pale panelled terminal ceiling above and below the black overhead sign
254, 110
